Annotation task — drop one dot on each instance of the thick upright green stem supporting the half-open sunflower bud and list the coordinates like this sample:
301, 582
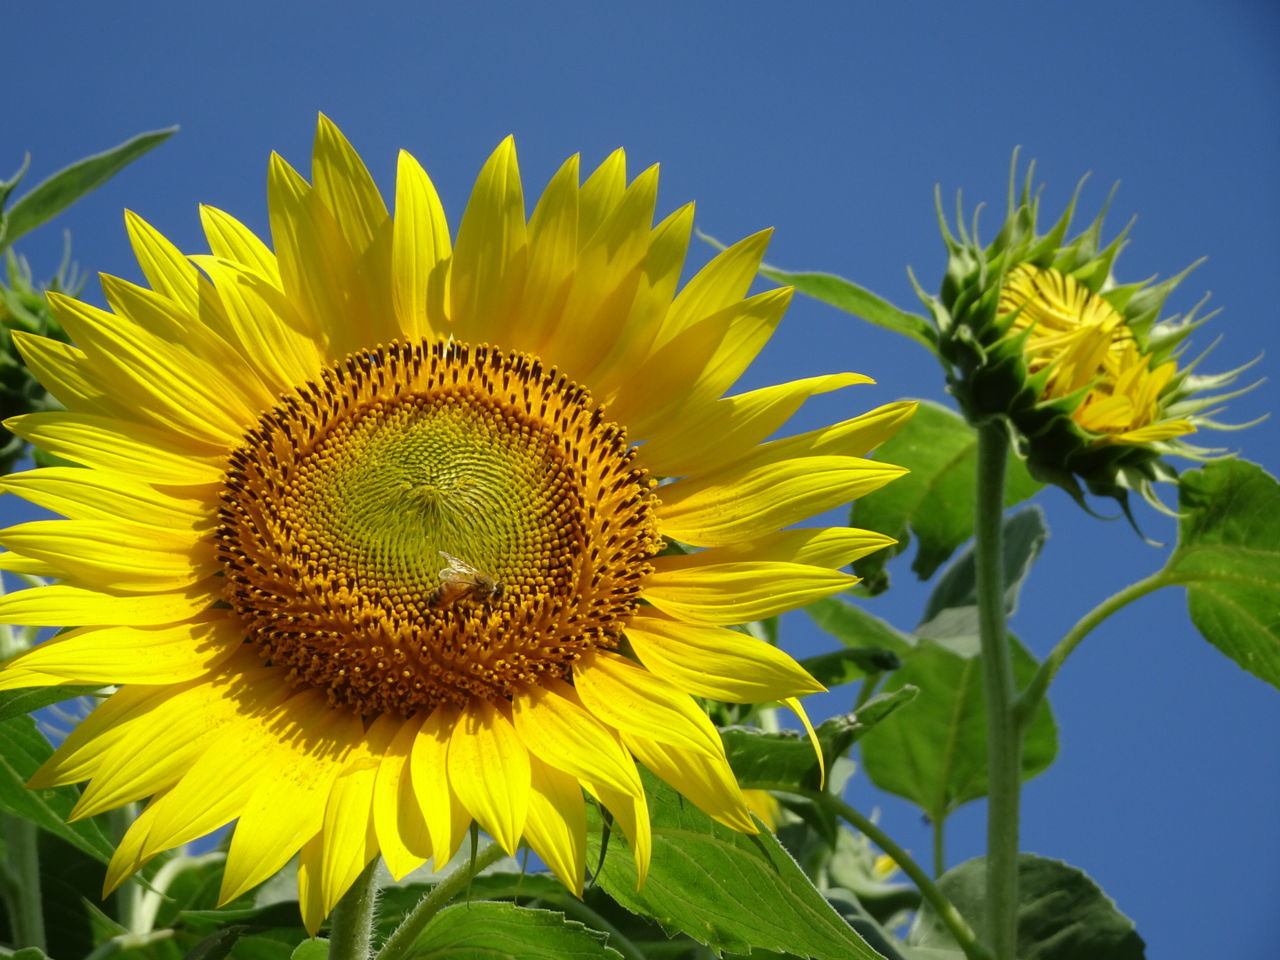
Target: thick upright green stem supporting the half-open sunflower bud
1004, 735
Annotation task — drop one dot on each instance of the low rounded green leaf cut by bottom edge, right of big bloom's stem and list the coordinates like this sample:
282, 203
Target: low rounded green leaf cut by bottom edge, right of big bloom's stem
490, 931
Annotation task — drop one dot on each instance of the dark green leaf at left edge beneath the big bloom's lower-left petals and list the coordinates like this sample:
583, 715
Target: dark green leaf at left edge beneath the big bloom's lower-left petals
22, 749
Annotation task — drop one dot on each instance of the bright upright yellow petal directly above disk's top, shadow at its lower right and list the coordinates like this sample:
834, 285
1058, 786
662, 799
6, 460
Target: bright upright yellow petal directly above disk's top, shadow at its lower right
420, 253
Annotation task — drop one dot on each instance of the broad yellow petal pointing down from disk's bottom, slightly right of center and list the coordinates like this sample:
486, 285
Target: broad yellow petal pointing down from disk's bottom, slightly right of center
490, 772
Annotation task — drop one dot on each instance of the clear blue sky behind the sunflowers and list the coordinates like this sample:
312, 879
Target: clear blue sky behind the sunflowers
830, 122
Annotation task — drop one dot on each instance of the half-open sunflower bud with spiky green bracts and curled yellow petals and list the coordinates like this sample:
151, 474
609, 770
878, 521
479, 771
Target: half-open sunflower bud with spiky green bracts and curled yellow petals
1036, 331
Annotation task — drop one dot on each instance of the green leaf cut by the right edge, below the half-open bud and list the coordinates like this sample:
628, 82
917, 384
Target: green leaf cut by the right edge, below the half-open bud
1228, 556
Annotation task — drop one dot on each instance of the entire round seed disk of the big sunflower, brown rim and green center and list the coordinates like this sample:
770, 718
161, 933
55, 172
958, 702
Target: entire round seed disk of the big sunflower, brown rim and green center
431, 524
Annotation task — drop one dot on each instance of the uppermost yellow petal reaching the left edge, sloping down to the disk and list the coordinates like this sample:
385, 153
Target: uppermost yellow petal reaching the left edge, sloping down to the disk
127, 449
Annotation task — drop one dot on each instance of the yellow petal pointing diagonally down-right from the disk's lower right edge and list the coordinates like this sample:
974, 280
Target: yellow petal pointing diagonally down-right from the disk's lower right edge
634, 701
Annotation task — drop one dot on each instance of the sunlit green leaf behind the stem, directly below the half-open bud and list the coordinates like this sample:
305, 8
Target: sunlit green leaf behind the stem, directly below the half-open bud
935, 501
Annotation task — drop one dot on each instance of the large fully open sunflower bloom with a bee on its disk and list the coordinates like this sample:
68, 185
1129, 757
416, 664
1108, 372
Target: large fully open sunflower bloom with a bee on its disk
372, 534
